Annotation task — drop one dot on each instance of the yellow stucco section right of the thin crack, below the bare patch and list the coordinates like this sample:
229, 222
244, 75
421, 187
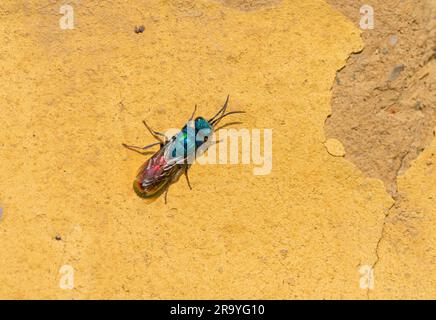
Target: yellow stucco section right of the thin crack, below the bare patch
406, 265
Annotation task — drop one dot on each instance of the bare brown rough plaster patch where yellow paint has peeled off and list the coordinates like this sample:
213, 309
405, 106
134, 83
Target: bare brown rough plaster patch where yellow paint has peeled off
383, 105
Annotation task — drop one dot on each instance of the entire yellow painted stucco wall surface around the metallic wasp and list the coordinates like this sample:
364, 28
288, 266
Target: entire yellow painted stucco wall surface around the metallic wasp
69, 98
